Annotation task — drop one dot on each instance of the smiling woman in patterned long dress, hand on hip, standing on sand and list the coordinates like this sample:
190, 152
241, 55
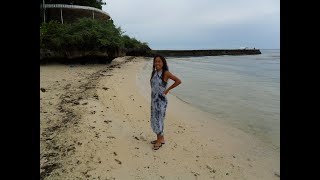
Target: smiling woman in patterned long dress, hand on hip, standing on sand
159, 77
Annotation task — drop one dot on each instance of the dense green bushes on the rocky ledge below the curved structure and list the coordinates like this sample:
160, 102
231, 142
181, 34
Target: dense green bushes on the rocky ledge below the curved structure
88, 35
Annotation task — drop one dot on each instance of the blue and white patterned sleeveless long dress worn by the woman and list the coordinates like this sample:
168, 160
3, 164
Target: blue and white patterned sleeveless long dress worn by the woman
158, 103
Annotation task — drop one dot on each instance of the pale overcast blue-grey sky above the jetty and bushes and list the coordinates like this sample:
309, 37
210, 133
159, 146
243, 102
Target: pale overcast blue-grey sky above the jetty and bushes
199, 24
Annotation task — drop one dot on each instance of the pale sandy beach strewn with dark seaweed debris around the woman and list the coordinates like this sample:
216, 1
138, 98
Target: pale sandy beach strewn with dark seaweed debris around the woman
95, 124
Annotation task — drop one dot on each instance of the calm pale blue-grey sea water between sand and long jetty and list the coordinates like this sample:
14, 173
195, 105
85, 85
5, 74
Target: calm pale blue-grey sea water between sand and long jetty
243, 91
